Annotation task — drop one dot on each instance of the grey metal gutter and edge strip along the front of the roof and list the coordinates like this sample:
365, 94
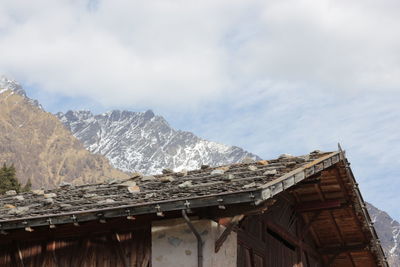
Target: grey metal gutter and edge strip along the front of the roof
256, 196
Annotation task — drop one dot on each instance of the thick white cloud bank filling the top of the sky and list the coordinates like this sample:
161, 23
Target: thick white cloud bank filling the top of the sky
130, 52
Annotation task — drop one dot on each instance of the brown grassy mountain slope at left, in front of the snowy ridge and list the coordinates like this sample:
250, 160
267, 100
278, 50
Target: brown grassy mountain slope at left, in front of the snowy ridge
39, 145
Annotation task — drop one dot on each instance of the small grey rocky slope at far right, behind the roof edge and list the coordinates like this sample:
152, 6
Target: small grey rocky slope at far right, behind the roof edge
388, 231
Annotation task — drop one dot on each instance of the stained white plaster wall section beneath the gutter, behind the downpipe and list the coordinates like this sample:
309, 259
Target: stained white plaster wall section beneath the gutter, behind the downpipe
174, 245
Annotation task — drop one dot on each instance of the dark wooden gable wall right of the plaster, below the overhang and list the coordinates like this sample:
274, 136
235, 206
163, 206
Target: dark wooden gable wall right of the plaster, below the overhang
274, 239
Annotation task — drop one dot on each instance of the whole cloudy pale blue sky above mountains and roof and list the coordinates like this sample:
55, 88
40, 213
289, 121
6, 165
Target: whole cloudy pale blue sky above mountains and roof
270, 76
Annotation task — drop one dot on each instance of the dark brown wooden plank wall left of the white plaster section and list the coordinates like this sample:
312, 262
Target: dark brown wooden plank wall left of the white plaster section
110, 248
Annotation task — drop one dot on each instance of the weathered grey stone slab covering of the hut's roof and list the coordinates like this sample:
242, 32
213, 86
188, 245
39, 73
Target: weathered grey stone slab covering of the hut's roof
145, 194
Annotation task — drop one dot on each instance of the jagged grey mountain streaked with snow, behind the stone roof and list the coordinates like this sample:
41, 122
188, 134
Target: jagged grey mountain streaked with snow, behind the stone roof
144, 142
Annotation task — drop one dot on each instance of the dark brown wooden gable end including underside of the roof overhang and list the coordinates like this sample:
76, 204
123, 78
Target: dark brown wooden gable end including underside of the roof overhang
319, 222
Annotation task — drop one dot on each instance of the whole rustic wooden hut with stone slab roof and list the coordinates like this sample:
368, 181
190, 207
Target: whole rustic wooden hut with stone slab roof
289, 211
